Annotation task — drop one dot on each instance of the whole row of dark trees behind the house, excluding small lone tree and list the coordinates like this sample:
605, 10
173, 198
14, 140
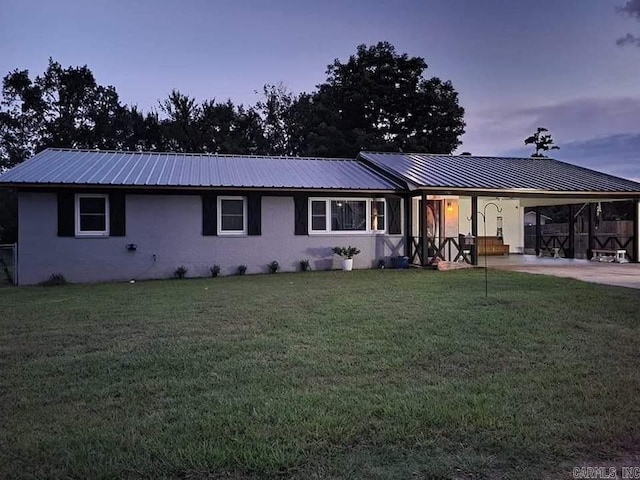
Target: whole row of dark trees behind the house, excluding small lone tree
378, 99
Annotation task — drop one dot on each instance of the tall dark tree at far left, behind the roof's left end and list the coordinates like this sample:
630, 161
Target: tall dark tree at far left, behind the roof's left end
64, 107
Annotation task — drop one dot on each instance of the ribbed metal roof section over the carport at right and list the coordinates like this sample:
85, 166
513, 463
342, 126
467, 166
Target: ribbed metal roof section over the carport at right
496, 173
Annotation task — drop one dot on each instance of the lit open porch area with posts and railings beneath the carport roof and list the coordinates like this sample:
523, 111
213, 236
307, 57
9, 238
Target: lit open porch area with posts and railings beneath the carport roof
460, 228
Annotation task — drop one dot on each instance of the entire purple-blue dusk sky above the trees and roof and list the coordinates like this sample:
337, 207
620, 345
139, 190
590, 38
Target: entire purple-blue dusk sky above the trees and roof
516, 64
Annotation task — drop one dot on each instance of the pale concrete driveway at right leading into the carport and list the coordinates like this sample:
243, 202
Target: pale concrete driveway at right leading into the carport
621, 275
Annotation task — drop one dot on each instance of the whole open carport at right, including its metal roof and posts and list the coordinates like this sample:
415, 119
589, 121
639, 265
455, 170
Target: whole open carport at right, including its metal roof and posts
456, 205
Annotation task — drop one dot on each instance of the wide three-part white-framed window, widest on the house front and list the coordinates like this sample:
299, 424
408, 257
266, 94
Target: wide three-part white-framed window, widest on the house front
347, 215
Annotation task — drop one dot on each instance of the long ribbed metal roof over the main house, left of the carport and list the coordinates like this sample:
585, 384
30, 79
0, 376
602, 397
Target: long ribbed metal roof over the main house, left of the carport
166, 170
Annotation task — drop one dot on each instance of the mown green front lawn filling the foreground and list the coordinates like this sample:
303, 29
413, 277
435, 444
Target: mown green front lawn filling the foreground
368, 374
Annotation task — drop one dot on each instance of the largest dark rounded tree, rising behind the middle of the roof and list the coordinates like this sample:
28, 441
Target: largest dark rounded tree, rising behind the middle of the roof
380, 100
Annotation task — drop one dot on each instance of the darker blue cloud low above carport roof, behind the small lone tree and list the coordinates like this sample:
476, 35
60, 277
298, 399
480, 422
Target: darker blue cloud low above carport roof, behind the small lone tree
615, 154
